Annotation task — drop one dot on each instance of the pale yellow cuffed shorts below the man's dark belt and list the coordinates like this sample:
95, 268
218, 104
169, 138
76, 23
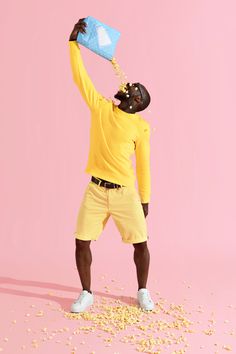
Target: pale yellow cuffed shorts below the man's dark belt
123, 204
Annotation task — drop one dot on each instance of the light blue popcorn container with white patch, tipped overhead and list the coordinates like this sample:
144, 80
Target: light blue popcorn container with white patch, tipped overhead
99, 38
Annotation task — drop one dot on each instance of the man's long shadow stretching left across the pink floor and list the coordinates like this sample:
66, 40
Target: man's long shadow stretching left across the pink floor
64, 302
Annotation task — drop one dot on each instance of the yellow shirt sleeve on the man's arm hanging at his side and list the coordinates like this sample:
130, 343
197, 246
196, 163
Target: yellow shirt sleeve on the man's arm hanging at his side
142, 152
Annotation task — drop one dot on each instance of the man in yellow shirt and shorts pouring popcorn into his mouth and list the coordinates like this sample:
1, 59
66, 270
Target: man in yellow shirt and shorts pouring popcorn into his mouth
116, 133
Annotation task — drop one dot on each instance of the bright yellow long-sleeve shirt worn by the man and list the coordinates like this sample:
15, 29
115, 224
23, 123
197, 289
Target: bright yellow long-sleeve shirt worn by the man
114, 135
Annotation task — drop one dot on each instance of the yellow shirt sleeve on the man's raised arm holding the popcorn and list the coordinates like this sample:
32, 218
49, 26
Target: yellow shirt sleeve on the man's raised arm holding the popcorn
81, 77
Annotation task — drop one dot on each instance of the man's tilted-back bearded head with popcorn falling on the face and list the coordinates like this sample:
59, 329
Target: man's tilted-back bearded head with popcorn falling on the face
134, 98
